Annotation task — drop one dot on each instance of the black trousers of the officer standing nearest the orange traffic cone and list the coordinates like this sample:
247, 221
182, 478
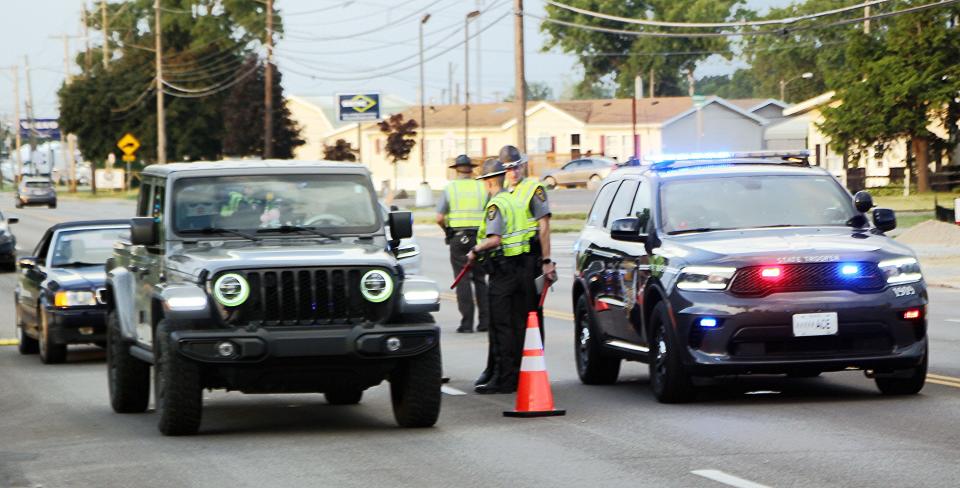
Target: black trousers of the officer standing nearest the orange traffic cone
509, 304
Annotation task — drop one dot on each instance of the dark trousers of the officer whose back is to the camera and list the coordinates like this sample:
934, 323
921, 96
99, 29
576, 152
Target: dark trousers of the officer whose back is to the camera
472, 285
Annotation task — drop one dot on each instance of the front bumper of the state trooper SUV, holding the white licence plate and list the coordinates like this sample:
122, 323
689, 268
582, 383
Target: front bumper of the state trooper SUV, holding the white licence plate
755, 335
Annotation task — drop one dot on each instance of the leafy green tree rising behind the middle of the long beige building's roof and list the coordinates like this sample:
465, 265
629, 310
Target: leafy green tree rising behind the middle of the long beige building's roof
620, 57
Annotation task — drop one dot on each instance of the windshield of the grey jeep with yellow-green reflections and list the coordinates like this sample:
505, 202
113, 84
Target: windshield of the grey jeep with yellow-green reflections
319, 204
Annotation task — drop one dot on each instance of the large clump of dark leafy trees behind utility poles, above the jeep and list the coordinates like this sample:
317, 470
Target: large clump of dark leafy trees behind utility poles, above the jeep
205, 44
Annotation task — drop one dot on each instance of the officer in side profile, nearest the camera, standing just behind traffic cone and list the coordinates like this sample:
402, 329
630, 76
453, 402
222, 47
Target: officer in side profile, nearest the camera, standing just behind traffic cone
502, 247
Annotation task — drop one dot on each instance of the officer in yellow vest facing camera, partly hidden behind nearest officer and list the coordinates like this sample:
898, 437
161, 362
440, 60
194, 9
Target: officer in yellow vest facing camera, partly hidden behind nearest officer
533, 198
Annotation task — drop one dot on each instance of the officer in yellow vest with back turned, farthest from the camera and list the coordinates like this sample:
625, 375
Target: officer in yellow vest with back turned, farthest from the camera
459, 214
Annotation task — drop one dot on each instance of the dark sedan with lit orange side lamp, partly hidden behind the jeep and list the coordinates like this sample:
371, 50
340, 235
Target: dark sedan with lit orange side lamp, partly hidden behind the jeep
59, 293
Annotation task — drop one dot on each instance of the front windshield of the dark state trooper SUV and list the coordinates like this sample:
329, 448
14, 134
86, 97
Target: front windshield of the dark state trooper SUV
742, 202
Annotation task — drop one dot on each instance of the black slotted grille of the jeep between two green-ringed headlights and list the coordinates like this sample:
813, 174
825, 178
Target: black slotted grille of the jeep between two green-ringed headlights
289, 297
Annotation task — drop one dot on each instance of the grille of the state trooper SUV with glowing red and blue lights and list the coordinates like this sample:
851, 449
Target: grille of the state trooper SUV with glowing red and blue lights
808, 277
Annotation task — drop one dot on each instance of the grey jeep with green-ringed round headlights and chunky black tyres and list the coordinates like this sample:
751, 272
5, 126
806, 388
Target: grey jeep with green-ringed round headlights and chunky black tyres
267, 277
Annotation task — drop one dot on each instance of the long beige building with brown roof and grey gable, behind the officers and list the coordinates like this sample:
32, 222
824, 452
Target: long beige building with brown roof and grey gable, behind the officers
556, 132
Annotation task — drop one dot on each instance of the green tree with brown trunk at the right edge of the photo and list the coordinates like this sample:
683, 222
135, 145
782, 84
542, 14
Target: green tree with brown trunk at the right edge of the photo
896, 84
